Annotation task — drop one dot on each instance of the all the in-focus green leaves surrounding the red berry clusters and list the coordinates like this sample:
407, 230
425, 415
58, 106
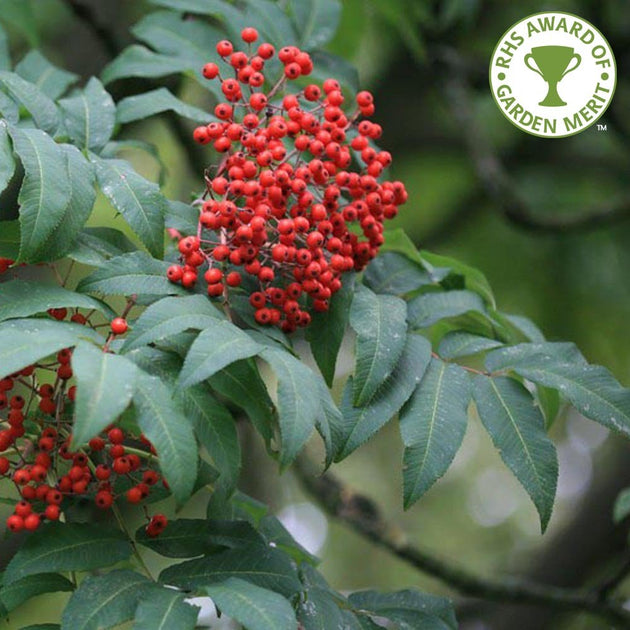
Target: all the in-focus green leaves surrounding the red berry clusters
428, 341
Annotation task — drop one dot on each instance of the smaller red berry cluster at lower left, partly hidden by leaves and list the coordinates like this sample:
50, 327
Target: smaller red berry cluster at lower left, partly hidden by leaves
35, 455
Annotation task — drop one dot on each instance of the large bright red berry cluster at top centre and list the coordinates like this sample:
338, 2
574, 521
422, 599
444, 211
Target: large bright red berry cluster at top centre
278, 217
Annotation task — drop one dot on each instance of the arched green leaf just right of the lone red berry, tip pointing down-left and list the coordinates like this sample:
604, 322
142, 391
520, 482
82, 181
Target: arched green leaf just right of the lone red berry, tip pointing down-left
170, 316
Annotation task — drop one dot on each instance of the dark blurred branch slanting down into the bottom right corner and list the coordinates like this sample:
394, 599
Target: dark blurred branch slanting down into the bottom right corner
363, 516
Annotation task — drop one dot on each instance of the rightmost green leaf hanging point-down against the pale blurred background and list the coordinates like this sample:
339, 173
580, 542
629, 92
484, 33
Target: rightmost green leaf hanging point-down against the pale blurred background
517, 430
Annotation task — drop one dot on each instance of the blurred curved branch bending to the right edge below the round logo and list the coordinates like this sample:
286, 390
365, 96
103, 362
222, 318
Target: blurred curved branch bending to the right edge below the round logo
493, 174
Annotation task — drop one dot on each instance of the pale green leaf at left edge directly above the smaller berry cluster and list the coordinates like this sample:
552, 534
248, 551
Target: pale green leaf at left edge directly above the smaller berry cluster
25, 341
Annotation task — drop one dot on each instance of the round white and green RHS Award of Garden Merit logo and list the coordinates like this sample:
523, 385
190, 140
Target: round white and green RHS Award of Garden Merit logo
553, 74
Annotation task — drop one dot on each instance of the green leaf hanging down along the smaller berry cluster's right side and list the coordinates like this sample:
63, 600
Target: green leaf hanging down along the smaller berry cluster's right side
169, 430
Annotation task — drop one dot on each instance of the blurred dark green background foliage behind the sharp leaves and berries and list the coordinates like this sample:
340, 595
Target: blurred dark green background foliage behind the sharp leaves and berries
554, 243
